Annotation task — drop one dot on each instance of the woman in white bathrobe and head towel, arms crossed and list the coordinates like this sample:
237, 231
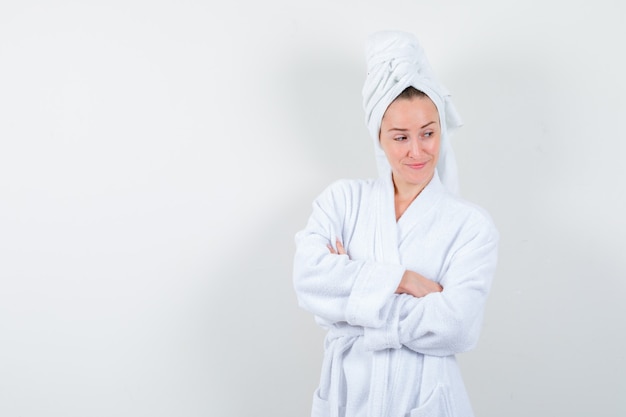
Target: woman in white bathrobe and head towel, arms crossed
398, 268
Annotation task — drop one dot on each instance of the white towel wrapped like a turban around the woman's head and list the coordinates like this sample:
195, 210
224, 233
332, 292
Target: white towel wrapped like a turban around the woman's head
395, 61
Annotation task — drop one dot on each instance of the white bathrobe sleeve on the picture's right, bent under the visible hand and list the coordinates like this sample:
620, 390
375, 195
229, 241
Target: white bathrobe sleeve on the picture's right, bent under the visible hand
449, 322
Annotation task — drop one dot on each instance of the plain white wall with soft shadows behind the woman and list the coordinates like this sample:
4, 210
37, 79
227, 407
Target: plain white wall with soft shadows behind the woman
156, 159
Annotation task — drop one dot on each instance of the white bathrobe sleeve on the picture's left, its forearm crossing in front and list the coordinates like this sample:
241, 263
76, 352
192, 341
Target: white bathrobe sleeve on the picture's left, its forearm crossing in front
334, 287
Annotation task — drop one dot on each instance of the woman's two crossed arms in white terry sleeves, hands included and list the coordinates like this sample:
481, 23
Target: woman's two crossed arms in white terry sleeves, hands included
394, 306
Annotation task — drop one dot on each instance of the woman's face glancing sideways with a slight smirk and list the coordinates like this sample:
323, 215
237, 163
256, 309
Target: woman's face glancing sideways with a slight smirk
410, 134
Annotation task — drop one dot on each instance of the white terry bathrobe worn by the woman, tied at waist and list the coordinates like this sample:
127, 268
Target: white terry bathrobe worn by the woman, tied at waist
389, 354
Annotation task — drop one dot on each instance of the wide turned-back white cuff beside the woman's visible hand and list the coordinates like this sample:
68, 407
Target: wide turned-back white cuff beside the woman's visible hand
373, 289
